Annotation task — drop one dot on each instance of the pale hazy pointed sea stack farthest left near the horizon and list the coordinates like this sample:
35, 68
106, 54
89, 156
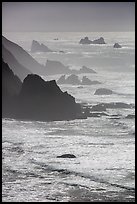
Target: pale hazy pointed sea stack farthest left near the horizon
37, 47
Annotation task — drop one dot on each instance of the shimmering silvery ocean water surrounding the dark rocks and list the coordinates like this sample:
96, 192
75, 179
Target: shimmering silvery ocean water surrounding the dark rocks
104, 167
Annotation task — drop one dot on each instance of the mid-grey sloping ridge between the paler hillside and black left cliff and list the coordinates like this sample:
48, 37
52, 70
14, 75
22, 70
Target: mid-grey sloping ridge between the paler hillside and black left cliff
16, 67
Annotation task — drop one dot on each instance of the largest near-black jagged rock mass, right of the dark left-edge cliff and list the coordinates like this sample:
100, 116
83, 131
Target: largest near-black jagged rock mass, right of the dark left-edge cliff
44, 100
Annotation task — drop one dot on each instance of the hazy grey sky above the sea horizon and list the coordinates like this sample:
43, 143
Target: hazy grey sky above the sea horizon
68, 16
